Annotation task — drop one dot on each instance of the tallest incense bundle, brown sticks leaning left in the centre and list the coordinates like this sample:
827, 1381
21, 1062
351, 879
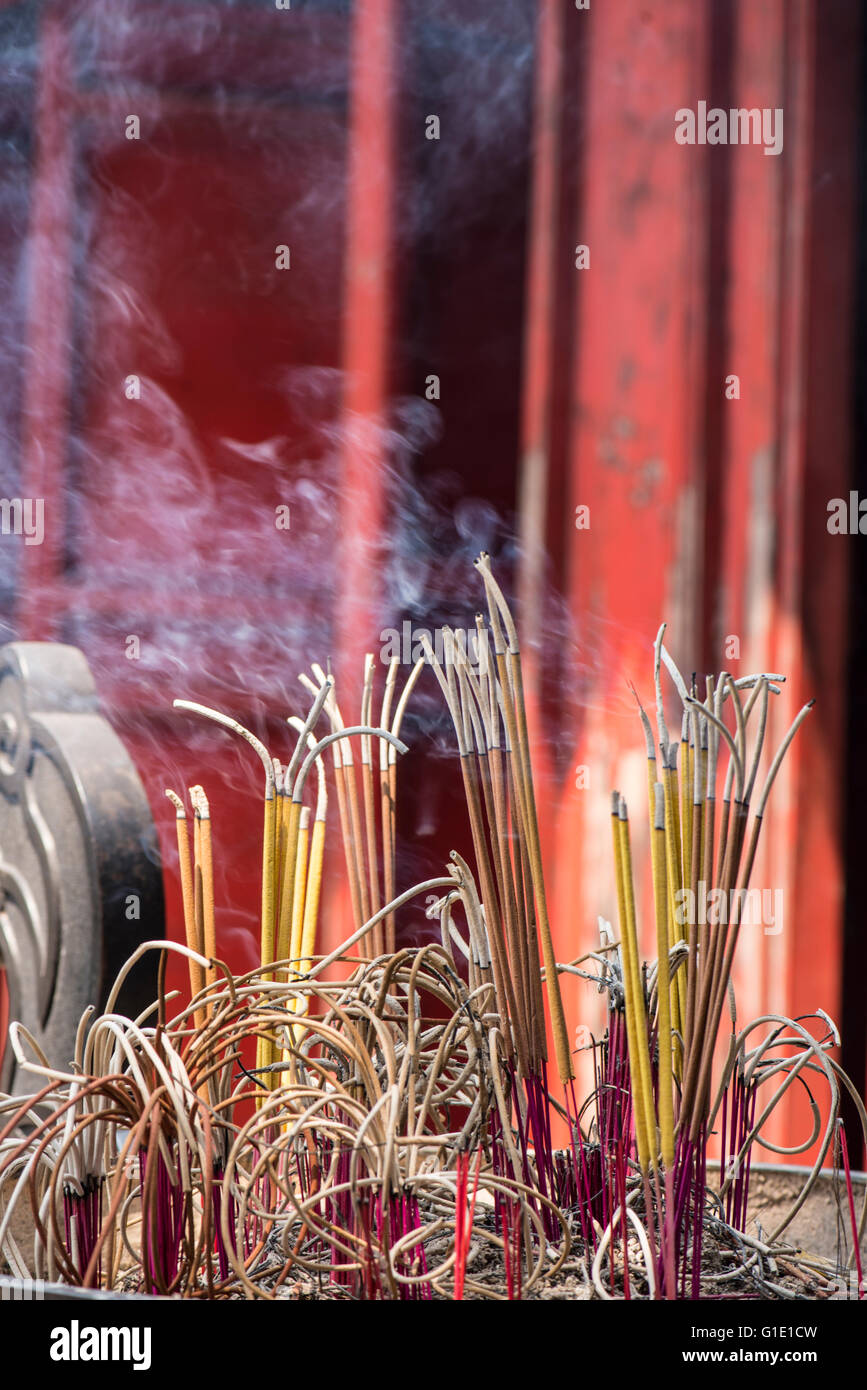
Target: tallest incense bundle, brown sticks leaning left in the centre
490, 717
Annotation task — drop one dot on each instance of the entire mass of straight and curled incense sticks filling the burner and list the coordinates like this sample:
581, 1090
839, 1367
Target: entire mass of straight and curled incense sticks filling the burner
369, 1109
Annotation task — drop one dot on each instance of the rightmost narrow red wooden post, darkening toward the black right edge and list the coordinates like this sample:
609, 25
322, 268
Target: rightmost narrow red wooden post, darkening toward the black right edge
816, 444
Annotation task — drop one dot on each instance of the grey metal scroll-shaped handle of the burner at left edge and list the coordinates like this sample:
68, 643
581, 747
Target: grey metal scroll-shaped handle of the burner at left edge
81, 883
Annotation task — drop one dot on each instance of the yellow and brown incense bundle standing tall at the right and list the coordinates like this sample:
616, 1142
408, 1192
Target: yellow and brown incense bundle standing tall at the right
693, 861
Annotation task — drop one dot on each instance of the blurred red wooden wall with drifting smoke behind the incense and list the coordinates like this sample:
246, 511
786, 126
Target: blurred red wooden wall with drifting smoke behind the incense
327, 258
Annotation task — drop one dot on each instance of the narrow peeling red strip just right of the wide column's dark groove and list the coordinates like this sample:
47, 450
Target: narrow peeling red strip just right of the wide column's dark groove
743, 528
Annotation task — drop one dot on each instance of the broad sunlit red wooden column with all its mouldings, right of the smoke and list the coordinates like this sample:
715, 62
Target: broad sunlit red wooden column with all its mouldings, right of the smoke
707, 512
